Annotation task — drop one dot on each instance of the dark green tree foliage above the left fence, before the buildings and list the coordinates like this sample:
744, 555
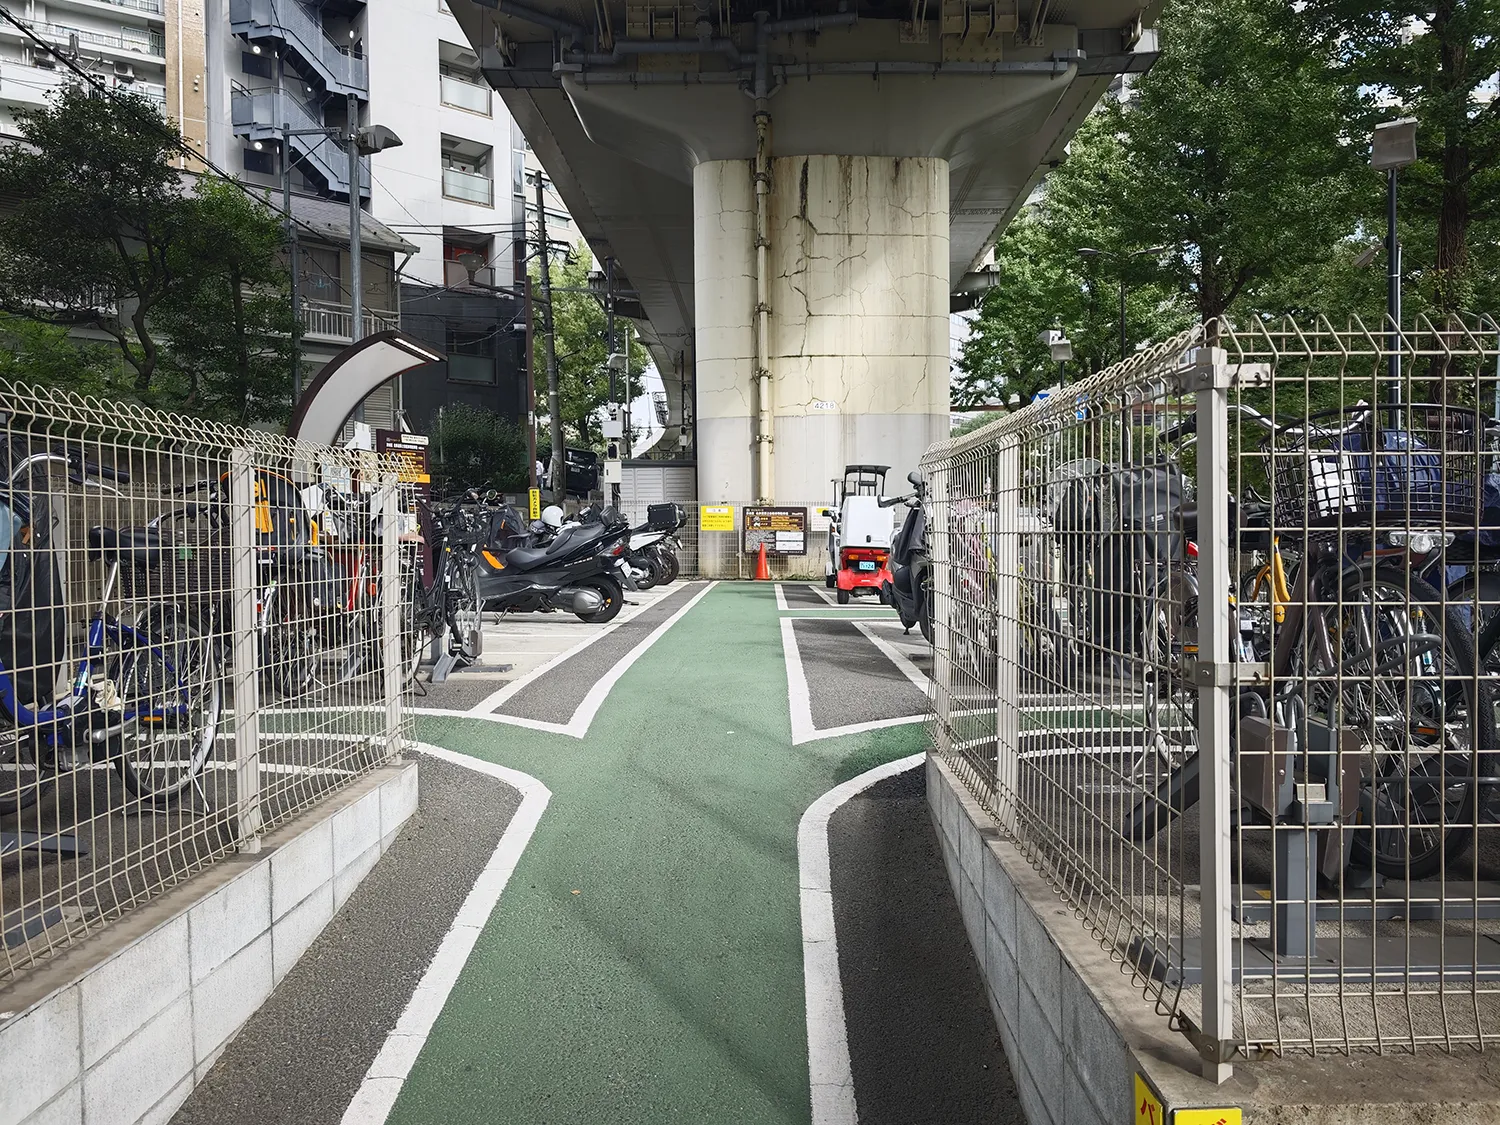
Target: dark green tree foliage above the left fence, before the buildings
107, 236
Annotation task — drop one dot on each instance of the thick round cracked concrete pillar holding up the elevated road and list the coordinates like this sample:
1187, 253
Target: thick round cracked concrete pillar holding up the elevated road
859, 346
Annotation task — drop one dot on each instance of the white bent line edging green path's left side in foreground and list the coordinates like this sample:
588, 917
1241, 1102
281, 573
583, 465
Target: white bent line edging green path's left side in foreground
388, 1075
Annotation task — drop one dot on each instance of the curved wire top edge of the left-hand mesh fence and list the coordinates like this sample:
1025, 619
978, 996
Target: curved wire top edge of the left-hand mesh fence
55, 409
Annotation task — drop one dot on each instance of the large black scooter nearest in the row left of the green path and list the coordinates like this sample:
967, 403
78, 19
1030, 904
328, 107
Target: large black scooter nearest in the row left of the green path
578, 571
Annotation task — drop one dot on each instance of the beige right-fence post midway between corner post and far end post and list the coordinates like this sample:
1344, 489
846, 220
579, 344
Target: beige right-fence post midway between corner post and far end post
1007, 626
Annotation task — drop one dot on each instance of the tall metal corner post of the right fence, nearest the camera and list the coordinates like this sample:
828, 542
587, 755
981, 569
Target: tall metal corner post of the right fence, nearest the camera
1211, 376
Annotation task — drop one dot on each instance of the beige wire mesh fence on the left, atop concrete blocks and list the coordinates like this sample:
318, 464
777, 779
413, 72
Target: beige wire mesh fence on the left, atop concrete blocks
197, 643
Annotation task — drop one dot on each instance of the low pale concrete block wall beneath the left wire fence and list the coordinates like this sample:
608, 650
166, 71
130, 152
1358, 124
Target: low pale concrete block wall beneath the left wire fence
119, 1030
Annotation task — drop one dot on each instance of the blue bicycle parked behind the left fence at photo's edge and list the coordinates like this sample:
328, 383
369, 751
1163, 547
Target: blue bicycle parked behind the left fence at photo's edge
145, 695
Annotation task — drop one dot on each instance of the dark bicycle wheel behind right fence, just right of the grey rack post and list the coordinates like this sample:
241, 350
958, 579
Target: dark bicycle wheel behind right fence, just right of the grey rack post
1406, 683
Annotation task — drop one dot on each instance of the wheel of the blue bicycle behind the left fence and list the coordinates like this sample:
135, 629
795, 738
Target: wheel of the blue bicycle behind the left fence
172, 680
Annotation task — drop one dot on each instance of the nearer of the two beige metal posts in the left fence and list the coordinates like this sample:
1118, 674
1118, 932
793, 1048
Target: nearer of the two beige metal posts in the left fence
245, 649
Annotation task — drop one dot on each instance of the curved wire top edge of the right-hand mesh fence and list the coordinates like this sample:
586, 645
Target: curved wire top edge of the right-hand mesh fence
1253, 340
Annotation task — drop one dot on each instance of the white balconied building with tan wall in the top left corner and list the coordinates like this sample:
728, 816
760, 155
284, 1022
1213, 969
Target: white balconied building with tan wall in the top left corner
154, 49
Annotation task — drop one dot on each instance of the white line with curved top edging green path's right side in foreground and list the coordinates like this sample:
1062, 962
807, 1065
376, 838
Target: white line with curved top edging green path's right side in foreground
829, 1067
